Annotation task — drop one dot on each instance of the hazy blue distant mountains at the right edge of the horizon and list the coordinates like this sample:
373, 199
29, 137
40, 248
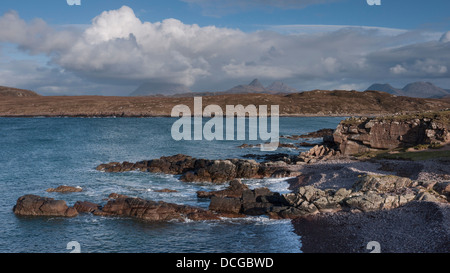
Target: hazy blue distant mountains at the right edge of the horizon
415, 90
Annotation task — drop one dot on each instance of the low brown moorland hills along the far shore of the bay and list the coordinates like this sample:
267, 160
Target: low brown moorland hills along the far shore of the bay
311, 103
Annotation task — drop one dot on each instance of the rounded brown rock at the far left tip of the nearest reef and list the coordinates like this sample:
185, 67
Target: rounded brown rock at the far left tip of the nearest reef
33, 205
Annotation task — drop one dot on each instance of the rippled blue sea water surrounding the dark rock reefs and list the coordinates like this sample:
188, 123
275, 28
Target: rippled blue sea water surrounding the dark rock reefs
39, 153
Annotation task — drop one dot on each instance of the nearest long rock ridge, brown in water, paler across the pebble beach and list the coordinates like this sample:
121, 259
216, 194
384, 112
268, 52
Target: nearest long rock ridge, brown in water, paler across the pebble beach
369, 193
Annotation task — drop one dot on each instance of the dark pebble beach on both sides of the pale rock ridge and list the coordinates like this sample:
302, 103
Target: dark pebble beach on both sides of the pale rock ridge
416, 227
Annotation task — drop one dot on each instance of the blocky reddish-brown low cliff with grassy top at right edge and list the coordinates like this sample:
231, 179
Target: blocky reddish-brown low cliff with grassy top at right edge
360, 135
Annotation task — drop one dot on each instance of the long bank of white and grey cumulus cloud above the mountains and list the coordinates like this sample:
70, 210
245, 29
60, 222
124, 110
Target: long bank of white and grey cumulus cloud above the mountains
117, 48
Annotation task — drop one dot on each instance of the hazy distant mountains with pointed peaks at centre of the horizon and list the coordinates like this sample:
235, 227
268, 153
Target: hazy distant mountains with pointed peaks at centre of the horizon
148, 89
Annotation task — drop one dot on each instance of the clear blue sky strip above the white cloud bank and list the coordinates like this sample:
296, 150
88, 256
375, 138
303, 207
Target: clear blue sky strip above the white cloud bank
405, 14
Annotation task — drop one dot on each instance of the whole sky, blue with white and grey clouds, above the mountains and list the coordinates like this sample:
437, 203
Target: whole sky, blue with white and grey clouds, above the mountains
309, 44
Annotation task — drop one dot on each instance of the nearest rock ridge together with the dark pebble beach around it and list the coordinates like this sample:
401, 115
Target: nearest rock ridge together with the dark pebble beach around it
336, 205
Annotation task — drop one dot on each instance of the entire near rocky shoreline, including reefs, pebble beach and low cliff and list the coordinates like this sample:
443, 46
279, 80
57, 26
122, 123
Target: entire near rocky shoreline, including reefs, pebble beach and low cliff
336, 197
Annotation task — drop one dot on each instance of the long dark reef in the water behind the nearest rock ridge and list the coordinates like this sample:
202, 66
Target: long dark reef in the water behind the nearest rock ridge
192, 169
